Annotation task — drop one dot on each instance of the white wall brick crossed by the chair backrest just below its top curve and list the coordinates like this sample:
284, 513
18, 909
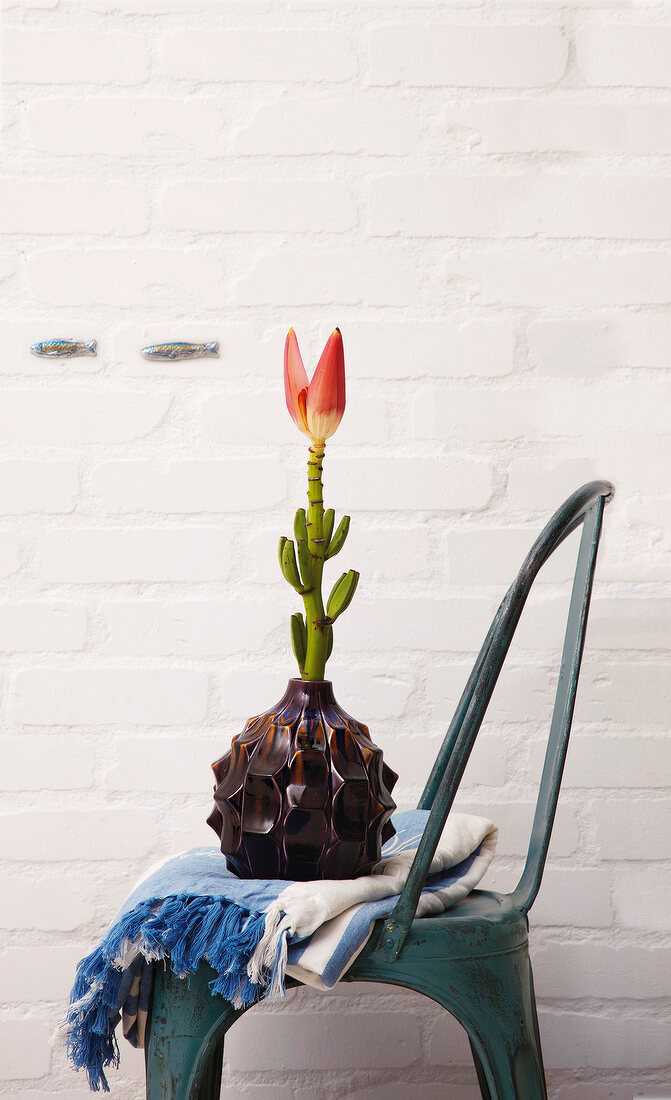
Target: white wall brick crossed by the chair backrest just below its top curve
496, 555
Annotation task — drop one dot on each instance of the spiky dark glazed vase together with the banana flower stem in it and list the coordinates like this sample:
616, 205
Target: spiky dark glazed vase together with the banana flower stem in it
304, 794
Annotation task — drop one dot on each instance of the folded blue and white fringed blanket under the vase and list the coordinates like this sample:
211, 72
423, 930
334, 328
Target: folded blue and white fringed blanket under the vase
252, 932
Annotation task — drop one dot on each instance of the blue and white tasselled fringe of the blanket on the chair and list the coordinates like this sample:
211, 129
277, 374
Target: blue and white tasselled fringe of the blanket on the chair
186, 931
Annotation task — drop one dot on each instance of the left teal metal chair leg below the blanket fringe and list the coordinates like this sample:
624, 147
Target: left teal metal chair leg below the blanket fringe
185, 1047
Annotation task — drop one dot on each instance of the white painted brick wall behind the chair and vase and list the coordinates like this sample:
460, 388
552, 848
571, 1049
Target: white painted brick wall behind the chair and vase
479, 193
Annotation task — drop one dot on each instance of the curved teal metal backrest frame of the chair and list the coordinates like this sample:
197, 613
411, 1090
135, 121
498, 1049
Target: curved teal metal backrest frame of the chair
586, 507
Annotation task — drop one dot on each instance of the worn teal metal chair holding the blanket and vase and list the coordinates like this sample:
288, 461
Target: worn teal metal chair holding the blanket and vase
472, 960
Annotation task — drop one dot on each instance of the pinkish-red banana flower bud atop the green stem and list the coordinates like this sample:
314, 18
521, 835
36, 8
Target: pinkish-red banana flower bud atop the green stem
317, 406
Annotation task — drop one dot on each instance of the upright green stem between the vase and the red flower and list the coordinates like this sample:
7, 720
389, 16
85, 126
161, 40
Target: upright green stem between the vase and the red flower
317, 626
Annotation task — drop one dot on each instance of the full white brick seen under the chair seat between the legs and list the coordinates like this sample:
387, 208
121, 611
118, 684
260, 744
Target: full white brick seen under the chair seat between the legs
332, 1042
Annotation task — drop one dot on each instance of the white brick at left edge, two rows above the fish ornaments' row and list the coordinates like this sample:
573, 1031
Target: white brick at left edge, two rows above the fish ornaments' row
73, 206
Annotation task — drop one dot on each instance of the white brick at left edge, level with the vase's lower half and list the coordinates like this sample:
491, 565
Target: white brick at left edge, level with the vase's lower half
122, 833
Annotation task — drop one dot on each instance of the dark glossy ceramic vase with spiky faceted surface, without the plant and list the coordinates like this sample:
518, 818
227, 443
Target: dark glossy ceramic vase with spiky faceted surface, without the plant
303, 794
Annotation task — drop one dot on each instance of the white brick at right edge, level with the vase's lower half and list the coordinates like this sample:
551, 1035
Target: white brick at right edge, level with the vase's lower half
632, 830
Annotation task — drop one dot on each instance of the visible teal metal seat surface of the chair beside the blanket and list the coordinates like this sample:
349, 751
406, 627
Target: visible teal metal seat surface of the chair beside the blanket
485, 923
